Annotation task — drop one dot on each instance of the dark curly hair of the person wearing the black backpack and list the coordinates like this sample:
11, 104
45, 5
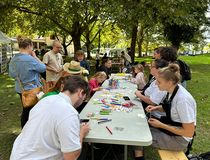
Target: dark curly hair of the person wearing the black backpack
168, 53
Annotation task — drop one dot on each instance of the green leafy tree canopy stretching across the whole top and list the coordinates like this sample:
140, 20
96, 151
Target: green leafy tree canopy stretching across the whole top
83, 20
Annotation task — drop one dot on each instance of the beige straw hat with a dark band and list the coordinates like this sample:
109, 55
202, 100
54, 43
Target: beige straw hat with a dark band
73, 67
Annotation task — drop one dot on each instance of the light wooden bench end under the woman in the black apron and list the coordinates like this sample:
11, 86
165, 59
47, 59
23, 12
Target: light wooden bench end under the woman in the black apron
172, 155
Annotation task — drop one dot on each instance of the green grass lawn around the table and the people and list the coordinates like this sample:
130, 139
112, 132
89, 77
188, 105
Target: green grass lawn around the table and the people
199, 86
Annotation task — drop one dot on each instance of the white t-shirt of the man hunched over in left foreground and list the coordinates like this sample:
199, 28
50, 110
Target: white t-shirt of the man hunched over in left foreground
53, 128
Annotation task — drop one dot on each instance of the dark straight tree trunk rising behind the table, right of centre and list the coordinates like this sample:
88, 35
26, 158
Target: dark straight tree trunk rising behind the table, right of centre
133, 42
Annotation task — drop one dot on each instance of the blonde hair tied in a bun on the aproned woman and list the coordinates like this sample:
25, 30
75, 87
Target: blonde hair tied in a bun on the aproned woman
170, 73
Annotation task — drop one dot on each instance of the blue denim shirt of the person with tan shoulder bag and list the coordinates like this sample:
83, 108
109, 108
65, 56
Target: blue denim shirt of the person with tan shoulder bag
27, 69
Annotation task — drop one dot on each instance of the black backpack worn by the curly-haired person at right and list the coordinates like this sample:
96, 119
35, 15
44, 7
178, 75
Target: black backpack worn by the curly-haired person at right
184, 70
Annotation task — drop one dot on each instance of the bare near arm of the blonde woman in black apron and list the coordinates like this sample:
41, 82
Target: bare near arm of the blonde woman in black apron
187, 129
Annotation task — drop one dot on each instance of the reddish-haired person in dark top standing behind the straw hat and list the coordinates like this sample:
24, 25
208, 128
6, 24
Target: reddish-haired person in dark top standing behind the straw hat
80, 57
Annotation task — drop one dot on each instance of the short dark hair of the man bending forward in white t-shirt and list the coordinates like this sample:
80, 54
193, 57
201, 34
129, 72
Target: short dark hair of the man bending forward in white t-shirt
73, 83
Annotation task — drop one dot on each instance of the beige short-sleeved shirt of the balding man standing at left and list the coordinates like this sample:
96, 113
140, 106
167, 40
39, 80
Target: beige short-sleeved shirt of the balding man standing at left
54, 61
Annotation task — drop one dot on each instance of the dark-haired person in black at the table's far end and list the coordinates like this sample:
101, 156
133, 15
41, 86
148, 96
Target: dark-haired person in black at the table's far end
106, 67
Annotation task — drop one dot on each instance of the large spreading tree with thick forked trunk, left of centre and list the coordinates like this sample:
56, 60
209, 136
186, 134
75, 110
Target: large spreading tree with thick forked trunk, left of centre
71, 17
